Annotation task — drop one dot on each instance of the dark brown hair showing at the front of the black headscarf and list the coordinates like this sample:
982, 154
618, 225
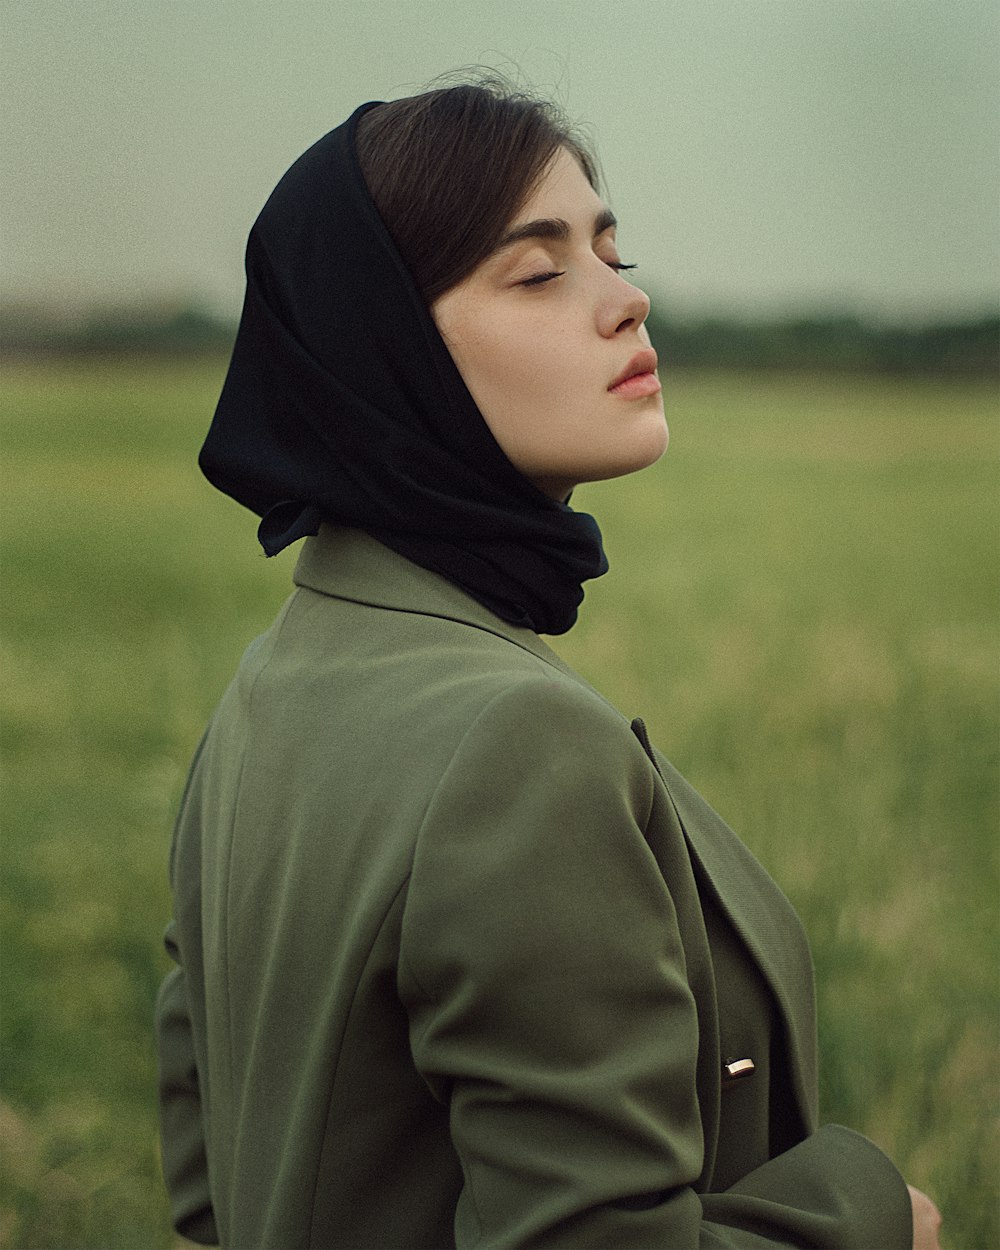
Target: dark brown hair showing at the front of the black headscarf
451, 169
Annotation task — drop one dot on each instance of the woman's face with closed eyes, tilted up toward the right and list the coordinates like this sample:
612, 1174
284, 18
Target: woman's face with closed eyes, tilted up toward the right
552, 344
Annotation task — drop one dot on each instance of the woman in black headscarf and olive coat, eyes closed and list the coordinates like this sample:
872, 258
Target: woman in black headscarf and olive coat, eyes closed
462, 961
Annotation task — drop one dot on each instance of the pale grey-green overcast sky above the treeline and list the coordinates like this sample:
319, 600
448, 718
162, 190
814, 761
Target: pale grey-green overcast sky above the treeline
762, 156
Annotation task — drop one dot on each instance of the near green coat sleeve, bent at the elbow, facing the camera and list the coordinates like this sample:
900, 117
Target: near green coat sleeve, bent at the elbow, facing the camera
543, 969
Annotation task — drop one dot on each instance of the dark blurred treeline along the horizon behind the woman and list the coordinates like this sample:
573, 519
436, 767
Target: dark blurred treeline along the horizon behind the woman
836, 342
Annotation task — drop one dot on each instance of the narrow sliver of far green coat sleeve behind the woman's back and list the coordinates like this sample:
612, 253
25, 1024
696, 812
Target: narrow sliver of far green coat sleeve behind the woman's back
182, 1126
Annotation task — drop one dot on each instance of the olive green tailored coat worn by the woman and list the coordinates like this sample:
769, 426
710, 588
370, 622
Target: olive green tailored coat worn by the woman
462, 959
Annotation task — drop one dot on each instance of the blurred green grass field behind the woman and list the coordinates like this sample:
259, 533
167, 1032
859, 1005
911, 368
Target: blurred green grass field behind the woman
803, 606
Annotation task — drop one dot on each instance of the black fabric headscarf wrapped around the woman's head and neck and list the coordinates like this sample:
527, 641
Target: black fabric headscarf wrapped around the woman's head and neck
343, 404
